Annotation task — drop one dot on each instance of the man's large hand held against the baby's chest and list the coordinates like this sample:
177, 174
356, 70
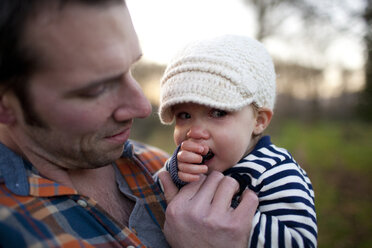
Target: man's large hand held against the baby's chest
200, 215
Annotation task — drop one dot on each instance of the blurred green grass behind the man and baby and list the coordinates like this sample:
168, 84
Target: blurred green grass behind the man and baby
338, 159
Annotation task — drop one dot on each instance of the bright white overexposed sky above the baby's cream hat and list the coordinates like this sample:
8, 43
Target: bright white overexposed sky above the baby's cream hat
164, 26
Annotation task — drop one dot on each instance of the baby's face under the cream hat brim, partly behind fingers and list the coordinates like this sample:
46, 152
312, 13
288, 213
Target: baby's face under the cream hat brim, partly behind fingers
227, 134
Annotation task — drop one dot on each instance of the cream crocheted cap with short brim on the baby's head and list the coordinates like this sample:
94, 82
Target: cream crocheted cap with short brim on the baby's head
227, 72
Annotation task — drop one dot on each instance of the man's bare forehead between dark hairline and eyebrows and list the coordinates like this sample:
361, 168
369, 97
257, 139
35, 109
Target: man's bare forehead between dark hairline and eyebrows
83, 45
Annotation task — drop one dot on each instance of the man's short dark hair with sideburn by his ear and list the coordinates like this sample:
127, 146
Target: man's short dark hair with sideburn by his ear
17, 60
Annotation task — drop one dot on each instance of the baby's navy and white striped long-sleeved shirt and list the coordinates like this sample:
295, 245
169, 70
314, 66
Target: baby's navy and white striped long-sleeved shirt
286, 214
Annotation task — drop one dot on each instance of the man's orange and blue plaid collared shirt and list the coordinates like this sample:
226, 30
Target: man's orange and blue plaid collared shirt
38, 212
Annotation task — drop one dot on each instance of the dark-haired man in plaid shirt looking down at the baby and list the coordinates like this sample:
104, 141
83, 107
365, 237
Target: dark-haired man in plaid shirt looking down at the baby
68, 175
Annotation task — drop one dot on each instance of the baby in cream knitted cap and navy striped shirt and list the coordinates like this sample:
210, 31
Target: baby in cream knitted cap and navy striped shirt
221, 93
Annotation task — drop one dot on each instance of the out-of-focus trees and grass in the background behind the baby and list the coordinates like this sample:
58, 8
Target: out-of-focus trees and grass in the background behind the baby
322, 116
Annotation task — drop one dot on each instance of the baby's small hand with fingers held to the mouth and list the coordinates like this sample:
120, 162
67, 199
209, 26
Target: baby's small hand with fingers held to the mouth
189, 158
